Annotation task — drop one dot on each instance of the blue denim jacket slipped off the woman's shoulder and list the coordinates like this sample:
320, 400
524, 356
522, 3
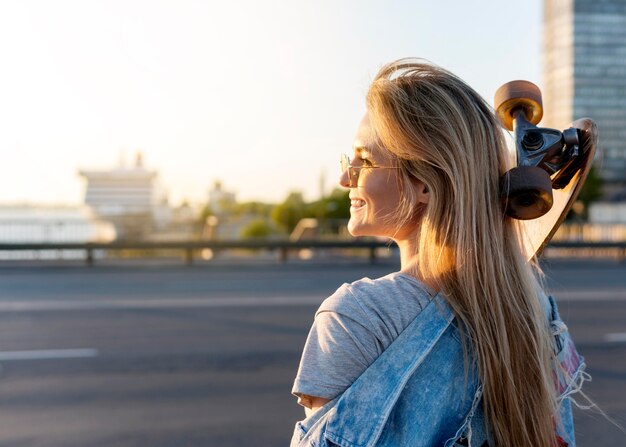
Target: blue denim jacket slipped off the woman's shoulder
419, 392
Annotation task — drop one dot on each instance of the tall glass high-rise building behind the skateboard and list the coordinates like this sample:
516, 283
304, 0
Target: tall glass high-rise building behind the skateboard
584, 66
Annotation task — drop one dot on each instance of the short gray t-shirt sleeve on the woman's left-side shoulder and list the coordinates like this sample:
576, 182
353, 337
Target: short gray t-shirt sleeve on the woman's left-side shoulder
340, 346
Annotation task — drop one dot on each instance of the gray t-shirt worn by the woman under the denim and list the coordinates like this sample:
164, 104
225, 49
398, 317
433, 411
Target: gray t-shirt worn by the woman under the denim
353, 327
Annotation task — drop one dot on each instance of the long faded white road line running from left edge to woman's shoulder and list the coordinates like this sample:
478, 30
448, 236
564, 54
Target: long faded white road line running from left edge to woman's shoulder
171, 303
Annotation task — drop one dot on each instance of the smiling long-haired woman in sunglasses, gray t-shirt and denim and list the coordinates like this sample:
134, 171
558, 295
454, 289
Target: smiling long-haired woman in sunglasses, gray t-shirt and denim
481, 344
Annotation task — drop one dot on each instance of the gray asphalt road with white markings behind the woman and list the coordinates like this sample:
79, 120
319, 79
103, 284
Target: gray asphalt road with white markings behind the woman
166, 355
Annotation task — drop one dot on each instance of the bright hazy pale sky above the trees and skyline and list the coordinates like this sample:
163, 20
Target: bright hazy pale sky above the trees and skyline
263, 96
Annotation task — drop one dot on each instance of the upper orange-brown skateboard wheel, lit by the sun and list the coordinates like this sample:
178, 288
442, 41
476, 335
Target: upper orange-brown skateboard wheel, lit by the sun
518, 96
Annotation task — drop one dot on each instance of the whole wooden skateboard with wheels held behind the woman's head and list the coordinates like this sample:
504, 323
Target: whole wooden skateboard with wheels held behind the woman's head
549, 168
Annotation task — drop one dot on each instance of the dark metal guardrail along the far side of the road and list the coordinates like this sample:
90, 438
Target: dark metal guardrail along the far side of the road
282, 246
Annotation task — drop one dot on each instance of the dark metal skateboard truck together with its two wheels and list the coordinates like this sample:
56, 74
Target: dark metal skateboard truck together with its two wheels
547, 159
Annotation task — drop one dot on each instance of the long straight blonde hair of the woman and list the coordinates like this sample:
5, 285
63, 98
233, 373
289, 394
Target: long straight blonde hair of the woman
445, 135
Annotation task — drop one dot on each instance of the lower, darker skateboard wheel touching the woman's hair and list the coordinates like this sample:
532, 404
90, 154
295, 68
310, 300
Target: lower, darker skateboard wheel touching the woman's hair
526, 192
